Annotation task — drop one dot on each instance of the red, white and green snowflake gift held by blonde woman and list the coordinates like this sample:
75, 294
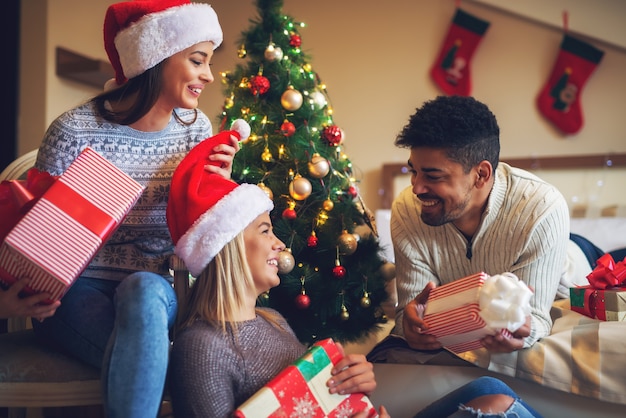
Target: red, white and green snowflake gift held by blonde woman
300, 390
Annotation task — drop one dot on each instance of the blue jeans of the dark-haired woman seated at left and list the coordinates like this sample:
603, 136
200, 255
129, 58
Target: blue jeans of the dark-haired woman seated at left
122, 328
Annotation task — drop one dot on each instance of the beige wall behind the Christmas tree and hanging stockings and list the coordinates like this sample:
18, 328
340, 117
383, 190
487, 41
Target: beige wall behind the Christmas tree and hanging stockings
374, 58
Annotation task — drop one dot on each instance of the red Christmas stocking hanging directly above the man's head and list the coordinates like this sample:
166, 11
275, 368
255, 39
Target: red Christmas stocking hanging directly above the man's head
451, 70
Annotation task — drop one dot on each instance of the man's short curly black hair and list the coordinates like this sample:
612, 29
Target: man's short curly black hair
464, 127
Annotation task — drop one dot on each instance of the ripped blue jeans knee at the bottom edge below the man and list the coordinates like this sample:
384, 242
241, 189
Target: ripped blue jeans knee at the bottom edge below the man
452, 404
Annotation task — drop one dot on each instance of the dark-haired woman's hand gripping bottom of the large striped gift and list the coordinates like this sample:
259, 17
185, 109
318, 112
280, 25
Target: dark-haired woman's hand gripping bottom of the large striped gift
11, 305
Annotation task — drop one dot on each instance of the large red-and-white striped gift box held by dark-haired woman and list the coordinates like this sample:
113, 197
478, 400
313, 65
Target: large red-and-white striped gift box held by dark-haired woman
55, 241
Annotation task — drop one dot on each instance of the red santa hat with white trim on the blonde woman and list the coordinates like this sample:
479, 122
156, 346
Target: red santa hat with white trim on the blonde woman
205, 211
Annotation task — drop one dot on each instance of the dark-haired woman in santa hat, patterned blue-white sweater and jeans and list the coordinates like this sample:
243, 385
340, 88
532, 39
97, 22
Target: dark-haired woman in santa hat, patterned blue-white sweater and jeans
118, 314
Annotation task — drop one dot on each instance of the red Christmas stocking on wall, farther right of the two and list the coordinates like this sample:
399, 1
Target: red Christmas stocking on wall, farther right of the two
559, 100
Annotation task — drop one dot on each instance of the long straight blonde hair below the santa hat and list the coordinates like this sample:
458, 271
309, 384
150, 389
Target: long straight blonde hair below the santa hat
221, 290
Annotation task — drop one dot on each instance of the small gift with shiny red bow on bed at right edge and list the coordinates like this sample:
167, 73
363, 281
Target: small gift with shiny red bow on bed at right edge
605, 296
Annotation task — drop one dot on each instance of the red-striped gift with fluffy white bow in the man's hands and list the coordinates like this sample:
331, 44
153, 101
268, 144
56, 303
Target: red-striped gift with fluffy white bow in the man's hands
462, 312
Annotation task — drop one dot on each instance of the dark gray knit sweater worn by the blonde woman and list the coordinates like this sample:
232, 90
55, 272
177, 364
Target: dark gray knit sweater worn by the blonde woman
211, 374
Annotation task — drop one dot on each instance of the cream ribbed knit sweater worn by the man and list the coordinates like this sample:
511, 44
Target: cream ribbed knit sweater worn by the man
524, 230
